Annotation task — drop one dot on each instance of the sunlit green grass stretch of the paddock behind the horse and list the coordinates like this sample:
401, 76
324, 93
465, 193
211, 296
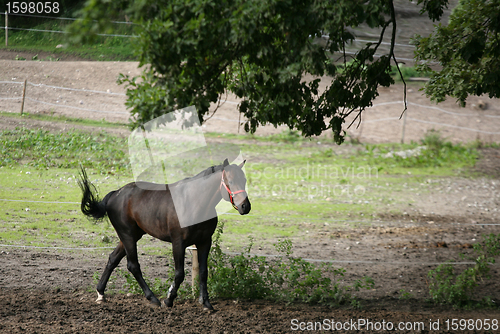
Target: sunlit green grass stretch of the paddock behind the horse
294, 184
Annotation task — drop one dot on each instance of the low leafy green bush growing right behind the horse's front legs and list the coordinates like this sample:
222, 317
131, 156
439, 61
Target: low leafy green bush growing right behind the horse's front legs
284, 279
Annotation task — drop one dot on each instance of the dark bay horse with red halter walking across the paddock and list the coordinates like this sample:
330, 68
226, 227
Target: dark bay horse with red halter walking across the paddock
140, 207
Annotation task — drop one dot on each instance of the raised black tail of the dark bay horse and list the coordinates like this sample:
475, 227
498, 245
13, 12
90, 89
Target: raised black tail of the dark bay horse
91, 205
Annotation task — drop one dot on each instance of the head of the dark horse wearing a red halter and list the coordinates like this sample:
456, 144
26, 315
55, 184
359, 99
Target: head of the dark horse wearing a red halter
232, 187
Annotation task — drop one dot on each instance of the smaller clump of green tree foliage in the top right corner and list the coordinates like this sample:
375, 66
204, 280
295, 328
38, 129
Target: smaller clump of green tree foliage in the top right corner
467, 50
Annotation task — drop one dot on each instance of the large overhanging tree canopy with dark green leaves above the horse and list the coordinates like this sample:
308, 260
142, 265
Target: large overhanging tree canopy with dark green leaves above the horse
194, 51
